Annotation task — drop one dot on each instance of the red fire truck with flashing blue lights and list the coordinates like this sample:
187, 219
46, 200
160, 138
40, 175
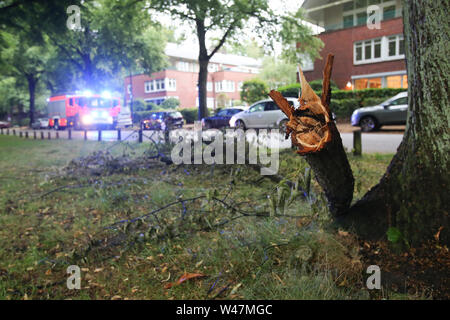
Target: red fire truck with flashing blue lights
83, 111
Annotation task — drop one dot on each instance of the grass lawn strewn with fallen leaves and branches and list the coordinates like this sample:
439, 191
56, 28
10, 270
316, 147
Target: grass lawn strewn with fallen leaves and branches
240, 239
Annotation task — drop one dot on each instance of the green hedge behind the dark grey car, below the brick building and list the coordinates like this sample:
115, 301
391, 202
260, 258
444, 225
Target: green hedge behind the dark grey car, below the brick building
343, 102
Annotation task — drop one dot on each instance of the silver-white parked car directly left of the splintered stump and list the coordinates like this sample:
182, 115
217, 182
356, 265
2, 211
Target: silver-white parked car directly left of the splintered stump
262, 114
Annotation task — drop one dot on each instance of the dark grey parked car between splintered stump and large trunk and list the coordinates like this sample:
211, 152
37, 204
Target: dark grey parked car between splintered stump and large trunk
391, 112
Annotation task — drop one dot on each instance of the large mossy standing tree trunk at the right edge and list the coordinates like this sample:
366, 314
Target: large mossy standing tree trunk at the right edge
413, 195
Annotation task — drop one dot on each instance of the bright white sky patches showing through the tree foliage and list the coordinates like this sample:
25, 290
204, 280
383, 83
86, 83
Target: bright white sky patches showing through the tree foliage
278, 6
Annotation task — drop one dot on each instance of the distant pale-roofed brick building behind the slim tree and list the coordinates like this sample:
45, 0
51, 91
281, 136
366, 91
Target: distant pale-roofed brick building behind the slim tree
226, 73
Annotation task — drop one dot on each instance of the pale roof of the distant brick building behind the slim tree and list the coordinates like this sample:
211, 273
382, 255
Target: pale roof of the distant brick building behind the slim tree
191, 53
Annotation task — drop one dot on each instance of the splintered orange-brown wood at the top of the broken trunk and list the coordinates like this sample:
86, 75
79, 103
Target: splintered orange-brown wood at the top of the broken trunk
308, 125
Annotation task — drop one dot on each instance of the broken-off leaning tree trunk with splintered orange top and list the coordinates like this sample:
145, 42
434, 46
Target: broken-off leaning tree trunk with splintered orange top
315, 134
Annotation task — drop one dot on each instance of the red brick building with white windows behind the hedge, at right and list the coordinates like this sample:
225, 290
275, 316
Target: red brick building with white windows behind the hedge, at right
363, 57
